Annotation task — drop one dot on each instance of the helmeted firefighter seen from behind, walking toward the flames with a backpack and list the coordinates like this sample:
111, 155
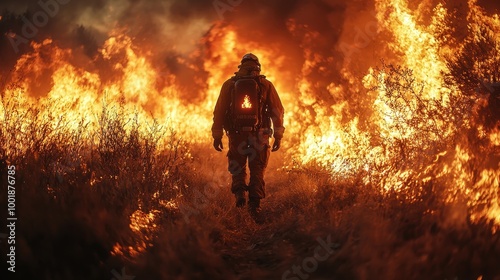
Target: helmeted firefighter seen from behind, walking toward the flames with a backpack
248, 131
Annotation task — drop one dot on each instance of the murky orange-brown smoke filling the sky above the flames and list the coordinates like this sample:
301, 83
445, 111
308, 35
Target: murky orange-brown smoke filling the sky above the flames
335, 34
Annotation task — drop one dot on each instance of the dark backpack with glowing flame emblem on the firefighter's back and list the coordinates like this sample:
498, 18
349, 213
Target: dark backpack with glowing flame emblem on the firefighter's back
247, 107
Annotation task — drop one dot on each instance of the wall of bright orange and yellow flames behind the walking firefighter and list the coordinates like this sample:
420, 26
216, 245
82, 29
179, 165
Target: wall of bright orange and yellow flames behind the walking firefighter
354, 124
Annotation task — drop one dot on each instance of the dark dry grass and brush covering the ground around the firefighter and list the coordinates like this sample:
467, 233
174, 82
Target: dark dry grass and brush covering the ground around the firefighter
77, 189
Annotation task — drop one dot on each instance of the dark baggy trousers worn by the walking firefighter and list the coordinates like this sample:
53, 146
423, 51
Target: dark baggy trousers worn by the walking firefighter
251, 147
